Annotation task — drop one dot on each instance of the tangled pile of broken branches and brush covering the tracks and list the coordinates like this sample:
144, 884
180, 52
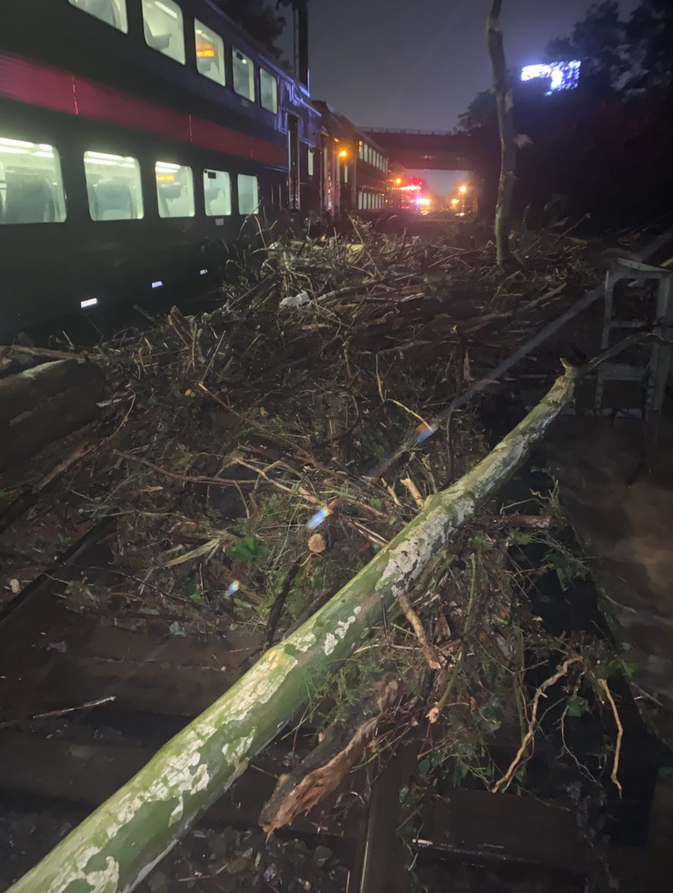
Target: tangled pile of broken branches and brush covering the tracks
254, 458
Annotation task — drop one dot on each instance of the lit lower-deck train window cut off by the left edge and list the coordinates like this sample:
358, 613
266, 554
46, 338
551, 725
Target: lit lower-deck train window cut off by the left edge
31, 186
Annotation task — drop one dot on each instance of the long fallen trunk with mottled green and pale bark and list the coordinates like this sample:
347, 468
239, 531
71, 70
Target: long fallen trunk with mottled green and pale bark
120, 843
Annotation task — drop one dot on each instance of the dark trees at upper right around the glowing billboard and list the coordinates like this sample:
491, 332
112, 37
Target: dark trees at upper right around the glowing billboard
605, 148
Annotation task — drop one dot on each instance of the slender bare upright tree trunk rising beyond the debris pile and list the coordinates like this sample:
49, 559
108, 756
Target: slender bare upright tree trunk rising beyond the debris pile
505, 105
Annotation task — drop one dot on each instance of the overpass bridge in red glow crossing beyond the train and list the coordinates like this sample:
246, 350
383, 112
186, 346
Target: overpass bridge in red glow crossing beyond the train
429, 150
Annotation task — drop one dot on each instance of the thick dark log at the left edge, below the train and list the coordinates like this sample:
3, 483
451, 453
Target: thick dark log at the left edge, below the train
44, 404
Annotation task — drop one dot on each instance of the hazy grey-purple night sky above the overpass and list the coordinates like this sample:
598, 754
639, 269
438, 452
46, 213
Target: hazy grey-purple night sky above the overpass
418, 63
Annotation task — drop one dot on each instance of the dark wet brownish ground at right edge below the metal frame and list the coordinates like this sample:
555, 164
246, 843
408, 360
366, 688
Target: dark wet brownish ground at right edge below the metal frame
616, 482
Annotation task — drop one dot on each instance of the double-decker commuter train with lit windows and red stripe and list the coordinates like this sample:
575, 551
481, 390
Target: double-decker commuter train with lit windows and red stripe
137, 137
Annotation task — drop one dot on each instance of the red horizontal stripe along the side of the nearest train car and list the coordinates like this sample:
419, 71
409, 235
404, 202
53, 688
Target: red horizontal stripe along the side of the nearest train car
41, 85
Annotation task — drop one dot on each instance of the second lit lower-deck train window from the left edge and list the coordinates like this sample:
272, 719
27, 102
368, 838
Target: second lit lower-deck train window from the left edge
113, 186
